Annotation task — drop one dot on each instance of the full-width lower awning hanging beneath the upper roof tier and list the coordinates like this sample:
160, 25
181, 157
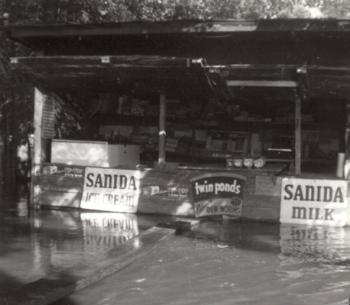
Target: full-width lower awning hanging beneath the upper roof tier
177, 76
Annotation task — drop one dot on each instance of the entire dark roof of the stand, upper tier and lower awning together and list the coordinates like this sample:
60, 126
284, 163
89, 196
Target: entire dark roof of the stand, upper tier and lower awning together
222, 55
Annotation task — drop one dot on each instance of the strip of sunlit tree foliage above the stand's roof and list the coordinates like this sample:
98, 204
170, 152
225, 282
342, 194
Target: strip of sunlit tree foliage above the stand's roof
97, 11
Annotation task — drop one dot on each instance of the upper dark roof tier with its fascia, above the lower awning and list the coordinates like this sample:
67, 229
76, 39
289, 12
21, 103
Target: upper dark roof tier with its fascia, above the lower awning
296, 41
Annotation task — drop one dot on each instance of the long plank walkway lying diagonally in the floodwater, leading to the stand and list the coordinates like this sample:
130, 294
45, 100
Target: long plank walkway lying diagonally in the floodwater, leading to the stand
62, 283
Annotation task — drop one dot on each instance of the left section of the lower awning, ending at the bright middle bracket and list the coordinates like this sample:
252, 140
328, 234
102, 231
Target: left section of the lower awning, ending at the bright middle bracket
148, 75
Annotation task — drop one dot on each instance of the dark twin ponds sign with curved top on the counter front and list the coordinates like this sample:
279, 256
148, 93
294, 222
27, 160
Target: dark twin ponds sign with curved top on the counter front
218, 194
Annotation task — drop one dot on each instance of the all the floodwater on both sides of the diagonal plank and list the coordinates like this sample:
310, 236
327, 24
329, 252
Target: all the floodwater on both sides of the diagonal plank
218, 262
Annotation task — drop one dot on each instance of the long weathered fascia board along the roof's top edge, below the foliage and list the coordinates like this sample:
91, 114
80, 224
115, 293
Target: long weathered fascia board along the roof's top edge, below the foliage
185, 27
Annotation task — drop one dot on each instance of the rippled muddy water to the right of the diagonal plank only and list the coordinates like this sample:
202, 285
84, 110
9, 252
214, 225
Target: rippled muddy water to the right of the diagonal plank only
235, 263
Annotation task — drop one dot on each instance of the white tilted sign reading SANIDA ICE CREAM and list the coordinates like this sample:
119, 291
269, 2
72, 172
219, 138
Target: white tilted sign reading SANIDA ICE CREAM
109, 189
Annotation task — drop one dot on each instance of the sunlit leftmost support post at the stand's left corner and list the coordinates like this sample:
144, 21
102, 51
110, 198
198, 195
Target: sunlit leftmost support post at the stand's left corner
39, 100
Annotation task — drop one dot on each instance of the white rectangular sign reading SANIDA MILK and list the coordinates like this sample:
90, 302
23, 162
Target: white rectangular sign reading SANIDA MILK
314, 201
